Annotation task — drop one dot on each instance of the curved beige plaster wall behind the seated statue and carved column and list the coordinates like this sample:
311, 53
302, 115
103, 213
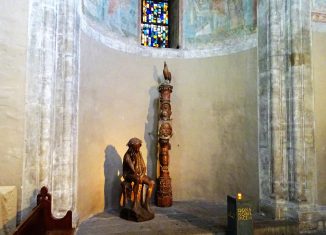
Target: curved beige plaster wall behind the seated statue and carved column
214, 105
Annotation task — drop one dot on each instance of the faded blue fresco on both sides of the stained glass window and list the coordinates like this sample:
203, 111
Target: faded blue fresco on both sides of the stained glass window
204, 23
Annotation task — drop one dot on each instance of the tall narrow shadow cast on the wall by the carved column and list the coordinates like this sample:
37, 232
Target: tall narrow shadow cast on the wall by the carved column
151, 126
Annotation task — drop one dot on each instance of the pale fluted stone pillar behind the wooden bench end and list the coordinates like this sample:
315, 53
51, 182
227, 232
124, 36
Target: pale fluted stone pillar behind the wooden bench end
51, 104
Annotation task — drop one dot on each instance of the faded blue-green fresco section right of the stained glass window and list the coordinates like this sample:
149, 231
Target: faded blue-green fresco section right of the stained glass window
208, 22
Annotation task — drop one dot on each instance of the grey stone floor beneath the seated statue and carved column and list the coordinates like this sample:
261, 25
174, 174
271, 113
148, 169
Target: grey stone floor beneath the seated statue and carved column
181, 218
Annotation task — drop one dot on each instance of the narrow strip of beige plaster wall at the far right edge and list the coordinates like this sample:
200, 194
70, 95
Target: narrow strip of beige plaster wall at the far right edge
319, 73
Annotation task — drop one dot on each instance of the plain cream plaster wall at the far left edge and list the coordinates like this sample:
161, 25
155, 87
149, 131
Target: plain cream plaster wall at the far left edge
13, 44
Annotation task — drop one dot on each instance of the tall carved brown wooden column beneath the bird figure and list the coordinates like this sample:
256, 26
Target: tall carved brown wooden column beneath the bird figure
164, 192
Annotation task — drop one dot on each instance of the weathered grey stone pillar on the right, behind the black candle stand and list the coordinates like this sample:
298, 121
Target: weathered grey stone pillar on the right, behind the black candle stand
287, 133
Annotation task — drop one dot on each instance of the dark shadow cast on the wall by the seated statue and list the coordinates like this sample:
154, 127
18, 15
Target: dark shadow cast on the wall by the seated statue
112, 173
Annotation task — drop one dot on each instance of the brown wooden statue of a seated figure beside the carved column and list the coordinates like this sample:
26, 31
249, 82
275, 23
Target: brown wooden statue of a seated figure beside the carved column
134, 174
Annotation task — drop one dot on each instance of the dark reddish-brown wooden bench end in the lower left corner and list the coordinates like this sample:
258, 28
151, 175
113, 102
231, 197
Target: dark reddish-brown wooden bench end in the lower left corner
41, 222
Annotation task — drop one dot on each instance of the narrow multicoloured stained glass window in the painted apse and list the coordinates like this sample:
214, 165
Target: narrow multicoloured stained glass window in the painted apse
155, 23
